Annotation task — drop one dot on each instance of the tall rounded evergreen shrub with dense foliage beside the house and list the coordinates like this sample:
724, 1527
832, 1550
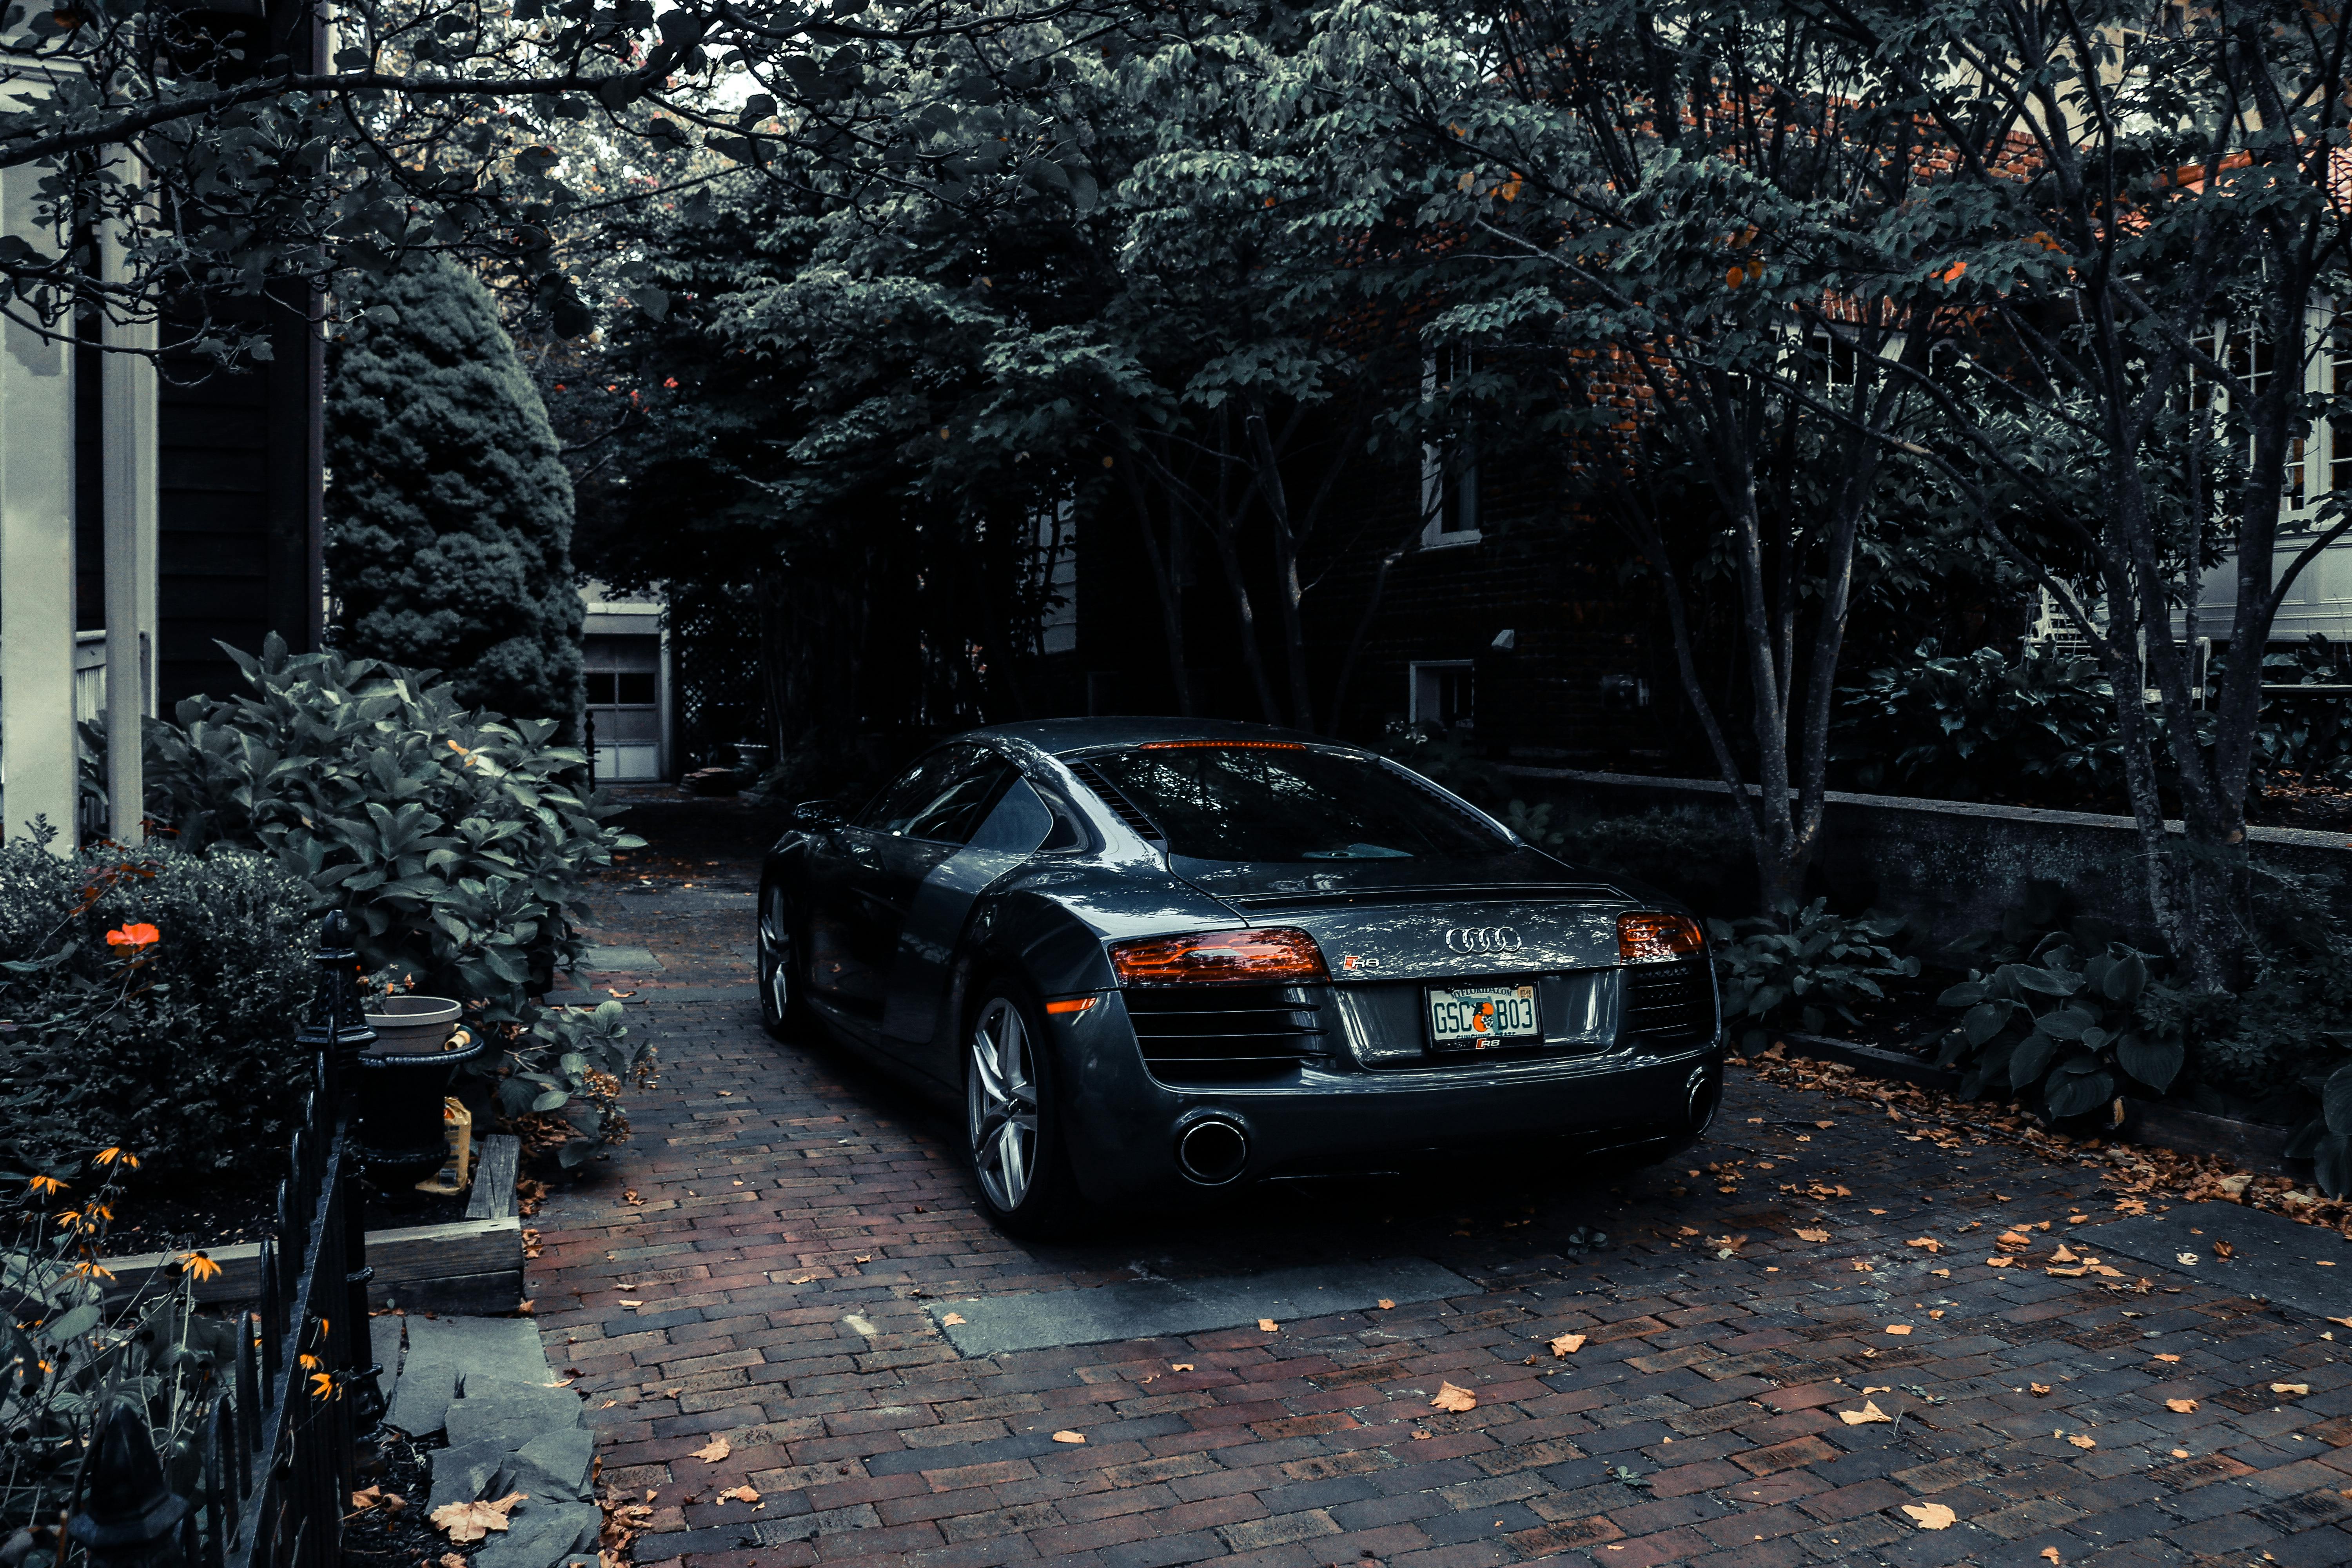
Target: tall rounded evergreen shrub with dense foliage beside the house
448, 511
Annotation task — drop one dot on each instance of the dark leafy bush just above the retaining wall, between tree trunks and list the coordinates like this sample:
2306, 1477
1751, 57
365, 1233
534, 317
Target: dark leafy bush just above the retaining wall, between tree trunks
1982, 728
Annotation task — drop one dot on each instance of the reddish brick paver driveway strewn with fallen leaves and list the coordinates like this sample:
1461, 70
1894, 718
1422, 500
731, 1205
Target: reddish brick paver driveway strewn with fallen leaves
761, 1268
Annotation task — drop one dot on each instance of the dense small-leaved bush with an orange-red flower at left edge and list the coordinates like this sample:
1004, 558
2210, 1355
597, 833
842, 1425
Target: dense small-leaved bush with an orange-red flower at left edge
156, 1000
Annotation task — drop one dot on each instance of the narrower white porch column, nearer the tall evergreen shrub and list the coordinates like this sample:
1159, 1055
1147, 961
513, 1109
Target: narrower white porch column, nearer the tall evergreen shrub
128, 443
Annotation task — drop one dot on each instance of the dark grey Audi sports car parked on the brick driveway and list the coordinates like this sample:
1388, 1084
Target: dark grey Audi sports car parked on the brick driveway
1161, 958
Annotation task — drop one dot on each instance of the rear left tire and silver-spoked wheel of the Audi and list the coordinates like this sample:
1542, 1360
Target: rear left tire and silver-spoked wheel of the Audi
1015, 1123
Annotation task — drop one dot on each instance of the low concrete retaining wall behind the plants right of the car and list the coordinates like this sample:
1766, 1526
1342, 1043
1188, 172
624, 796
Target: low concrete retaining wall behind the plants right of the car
1953, 866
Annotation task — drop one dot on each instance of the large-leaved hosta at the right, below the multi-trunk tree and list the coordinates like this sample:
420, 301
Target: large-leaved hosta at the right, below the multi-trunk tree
2064, 1028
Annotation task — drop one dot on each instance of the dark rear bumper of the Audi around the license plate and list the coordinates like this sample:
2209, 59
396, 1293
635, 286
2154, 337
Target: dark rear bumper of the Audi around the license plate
1125, 1127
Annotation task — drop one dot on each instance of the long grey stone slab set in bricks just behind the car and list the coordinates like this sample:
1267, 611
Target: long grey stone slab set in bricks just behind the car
1154, 1308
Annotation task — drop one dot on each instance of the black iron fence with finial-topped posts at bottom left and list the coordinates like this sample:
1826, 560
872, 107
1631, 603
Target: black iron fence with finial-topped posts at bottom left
281, 1438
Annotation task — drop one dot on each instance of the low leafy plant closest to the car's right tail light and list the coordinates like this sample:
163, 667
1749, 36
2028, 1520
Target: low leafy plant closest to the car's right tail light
1805, 960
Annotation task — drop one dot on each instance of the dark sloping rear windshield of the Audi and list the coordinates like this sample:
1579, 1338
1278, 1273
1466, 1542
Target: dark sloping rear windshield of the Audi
1283, 803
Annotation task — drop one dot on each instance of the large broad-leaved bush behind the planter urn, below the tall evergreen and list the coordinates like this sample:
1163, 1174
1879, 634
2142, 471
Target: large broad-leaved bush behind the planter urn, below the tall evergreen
457, 840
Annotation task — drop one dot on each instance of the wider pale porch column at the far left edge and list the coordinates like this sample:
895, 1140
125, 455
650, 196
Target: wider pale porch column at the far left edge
36, 558
